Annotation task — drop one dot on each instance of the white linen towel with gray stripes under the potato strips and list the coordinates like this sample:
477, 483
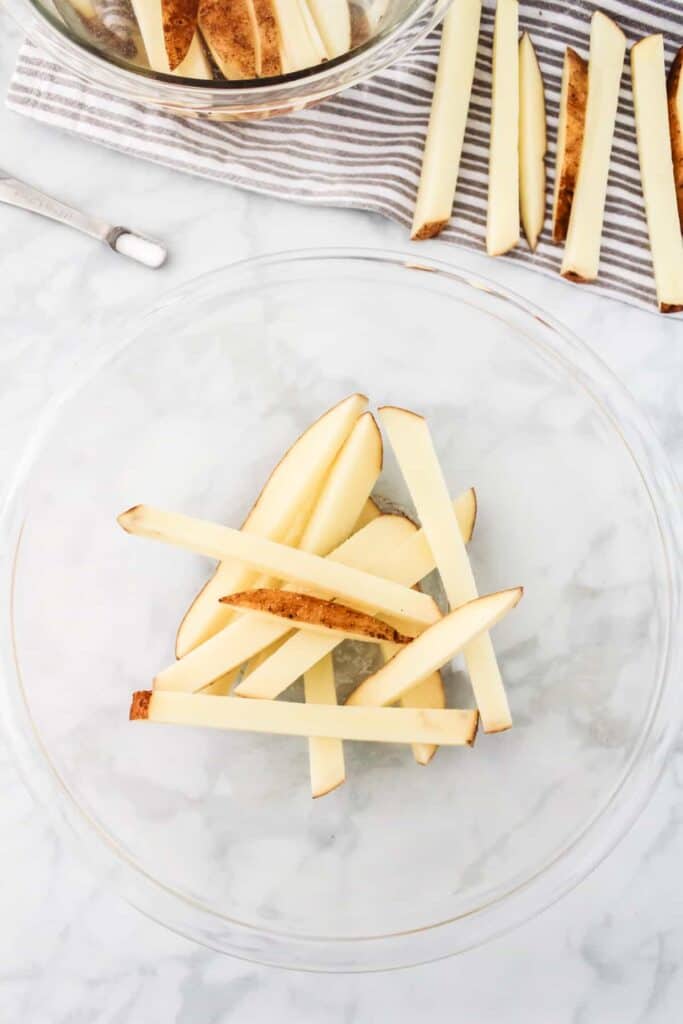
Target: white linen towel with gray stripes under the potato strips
363, 149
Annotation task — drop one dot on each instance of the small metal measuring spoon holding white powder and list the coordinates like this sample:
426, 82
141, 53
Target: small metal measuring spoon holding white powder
129, 243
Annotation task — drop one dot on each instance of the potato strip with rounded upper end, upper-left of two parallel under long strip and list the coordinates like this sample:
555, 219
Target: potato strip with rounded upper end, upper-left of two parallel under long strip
248, 635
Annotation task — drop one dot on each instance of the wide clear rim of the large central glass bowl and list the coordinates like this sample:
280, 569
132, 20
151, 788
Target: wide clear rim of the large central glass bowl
373, 953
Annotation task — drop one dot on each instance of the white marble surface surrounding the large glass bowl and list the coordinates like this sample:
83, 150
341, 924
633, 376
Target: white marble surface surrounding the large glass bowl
70, 953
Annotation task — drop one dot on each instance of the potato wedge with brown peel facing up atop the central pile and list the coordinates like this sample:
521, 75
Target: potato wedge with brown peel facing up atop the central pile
305, 612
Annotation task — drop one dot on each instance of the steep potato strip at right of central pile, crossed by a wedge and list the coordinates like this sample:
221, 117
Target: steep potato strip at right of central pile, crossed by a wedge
413, 446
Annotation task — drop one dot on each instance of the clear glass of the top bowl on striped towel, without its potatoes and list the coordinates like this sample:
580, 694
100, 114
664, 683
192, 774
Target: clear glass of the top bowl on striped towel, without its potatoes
407, 23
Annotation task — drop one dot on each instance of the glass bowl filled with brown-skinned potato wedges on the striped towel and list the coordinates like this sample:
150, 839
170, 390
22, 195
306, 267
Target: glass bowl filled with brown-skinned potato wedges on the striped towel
227, 59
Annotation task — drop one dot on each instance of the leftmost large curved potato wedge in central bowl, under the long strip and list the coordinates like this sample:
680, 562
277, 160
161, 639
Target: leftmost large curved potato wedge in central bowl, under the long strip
292, 487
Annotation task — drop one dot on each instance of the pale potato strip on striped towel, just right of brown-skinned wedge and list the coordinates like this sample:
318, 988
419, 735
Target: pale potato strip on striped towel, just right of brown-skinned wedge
582, 251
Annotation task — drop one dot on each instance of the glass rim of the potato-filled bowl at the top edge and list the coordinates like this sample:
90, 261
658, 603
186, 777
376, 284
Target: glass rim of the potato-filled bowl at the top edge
57, 37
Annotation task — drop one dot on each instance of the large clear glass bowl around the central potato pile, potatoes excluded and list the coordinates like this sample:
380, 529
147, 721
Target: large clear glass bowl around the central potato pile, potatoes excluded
216, 835
